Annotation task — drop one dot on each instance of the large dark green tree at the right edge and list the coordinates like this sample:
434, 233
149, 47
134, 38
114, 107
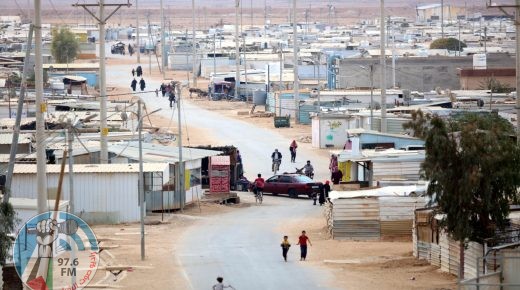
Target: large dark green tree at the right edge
473, 166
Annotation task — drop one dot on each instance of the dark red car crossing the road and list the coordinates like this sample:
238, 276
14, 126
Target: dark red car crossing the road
292, 184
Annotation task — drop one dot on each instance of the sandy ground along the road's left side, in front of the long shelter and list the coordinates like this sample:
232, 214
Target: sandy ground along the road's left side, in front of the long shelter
160, 269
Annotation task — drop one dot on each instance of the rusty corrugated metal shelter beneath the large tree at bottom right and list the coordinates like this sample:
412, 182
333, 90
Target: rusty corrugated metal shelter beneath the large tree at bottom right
502, 253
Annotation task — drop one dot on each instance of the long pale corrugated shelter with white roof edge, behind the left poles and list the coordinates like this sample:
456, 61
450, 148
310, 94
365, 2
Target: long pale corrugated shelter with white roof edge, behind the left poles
103, 193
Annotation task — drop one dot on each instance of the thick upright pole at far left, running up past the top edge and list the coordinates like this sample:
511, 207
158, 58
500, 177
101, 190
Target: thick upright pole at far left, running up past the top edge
41, 108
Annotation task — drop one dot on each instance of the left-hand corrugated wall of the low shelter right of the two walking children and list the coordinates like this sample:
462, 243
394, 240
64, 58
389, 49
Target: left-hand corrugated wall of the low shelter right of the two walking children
356, 219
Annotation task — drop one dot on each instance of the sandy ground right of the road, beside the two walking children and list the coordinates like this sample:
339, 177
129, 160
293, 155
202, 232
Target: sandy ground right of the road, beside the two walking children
366, 265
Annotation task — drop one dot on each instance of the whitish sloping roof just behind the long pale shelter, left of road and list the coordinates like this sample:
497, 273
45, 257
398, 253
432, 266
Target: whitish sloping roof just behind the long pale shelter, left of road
159, 153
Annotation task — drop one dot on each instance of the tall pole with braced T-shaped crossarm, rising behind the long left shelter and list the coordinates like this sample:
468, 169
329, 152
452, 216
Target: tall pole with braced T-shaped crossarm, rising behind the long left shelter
102, 70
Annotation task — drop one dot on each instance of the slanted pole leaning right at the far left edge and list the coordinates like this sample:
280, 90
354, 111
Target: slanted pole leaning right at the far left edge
18, 119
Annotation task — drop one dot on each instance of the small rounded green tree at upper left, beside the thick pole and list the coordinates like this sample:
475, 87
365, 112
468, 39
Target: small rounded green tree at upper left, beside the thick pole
64, 46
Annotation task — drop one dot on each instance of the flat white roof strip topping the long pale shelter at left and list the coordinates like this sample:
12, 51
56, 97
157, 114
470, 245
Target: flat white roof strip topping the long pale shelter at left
93, 168
